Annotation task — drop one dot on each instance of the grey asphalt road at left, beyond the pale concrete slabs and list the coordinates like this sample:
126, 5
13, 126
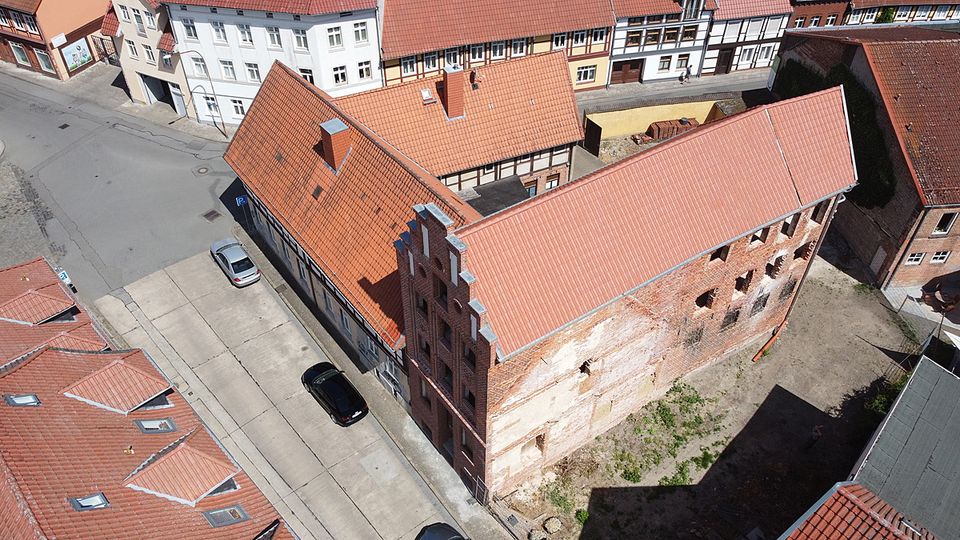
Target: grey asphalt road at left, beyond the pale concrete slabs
116, 197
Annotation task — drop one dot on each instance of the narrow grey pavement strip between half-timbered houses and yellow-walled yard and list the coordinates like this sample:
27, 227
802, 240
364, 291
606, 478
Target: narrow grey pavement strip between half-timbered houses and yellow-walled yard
626, 96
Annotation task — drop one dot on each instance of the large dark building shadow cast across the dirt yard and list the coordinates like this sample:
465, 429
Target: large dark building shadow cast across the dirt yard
770, 473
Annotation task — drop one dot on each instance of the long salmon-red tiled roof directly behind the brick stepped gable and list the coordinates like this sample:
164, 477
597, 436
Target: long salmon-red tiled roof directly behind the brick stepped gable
599, 237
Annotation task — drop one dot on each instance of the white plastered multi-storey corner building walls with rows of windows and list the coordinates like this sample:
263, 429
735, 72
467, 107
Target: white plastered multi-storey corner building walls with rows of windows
227, 52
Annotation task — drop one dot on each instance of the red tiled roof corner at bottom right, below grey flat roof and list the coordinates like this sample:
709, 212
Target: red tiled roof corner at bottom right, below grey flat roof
850, 510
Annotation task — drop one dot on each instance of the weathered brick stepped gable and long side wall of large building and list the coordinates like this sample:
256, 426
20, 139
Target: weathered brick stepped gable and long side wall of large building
555, 395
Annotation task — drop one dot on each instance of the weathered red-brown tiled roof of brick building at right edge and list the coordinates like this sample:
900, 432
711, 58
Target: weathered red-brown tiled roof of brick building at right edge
924, 108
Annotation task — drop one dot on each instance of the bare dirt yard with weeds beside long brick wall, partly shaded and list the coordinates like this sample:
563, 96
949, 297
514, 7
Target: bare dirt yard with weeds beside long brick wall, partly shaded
738, 447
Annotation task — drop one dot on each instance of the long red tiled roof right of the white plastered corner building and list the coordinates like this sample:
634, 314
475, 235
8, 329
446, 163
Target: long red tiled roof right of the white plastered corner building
415, 26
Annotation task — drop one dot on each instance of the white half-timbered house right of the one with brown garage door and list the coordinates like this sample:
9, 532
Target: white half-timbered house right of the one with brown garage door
745, 36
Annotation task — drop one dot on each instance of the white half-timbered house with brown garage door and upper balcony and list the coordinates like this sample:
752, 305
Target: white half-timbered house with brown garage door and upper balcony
658, 40
